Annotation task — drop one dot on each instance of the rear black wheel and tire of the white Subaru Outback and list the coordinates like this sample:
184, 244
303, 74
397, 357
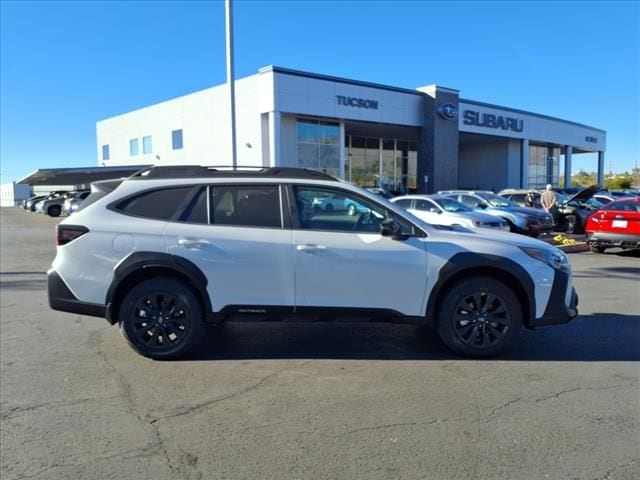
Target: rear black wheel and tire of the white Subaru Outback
180, 316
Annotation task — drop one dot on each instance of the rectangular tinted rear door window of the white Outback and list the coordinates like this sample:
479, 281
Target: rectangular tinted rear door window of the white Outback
246, 205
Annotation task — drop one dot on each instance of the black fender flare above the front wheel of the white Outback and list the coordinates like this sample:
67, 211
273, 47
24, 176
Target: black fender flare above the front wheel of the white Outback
469, 263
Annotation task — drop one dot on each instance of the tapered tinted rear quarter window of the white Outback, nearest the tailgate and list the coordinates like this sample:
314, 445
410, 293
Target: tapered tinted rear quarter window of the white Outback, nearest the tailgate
156, 204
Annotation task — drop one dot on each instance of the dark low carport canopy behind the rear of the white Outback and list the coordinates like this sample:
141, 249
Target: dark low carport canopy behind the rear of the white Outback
79, 175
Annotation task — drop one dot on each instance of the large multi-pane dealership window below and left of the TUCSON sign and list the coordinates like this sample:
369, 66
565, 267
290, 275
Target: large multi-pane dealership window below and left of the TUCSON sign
319, 146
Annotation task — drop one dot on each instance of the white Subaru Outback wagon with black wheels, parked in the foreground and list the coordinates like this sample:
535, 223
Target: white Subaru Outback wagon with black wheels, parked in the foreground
171, 249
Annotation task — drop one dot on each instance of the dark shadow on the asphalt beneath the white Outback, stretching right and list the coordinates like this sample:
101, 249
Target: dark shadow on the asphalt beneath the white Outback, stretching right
598, 337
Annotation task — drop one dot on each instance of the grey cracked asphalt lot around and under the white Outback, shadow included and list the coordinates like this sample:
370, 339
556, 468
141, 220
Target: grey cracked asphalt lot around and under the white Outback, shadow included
307, 401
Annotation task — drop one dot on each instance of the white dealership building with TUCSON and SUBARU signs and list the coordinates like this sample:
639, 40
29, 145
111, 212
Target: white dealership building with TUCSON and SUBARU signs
422, 140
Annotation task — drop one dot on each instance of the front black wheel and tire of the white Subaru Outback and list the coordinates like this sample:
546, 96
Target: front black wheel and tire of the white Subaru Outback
481, 336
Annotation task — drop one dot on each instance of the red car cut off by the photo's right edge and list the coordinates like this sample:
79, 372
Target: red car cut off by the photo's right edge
617, 224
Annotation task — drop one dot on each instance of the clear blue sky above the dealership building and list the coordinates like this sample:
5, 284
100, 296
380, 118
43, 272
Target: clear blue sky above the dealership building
66, 65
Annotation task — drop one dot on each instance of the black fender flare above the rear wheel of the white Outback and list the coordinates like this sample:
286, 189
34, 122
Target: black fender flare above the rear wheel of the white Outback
140, 261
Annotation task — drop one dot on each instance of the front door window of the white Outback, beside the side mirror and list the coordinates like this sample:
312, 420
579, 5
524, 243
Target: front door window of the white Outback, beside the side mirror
326, 209
